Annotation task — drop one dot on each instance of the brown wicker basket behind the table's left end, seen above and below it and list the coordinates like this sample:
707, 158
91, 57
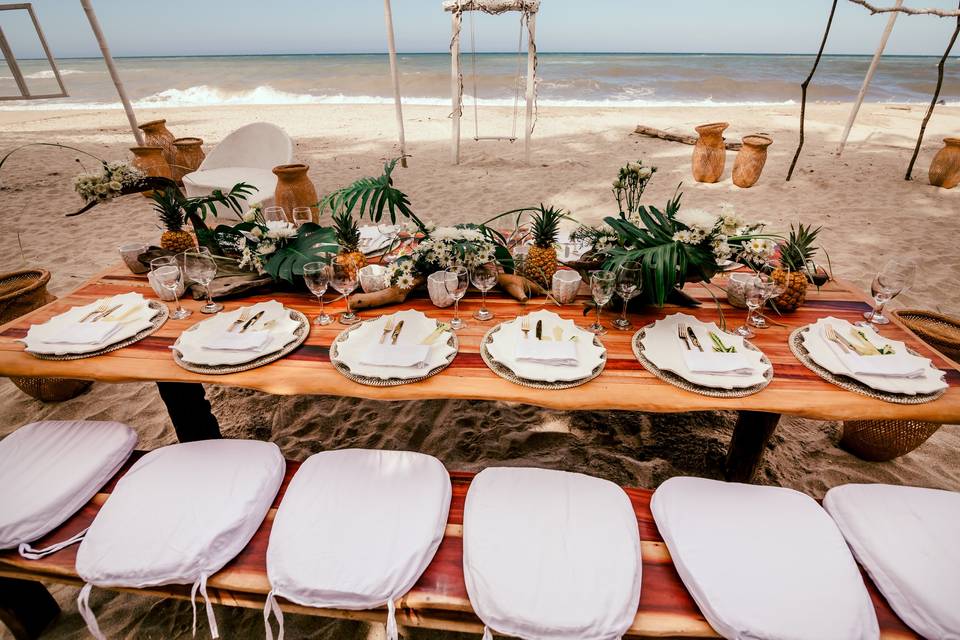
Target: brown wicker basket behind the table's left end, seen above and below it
21, 292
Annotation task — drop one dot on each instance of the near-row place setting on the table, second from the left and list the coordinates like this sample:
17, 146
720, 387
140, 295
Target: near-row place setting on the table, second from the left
241, 339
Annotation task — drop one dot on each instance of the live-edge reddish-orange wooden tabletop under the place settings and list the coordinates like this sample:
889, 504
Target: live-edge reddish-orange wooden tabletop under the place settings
624, 384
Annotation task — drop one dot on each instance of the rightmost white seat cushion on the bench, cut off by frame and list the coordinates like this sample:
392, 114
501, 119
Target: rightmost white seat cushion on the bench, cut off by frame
908, 540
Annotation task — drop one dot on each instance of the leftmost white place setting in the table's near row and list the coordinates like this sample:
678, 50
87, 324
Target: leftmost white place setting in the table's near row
96, 328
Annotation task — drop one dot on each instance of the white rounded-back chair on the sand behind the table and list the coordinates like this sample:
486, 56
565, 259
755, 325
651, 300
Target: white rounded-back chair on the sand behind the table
246, 155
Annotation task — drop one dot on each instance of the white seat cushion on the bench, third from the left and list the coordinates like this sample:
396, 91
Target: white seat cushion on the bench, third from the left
357, 528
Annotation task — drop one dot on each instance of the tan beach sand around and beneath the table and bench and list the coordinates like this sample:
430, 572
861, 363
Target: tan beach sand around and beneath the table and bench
868, 211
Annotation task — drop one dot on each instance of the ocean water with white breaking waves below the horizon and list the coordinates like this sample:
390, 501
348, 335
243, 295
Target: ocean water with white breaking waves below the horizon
564, 79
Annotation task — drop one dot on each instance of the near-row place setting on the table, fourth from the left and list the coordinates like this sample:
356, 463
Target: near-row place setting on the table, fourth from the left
543, 351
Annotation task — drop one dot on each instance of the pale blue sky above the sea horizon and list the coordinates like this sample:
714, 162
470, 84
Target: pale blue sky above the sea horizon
223, 27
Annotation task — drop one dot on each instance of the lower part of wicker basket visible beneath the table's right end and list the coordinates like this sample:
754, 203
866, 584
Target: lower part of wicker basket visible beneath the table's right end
882, 440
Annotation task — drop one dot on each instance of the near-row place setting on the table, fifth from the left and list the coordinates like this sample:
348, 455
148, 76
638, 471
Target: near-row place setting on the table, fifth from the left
700, 357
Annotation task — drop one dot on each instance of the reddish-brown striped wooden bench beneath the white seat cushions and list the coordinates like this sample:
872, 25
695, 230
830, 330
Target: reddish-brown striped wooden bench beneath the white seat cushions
438, 600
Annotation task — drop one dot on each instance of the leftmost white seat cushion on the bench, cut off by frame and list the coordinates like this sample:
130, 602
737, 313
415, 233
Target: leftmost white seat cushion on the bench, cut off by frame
48, 470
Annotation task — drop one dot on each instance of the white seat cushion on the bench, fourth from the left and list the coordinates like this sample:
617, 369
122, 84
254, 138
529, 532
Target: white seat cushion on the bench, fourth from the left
551, 554
